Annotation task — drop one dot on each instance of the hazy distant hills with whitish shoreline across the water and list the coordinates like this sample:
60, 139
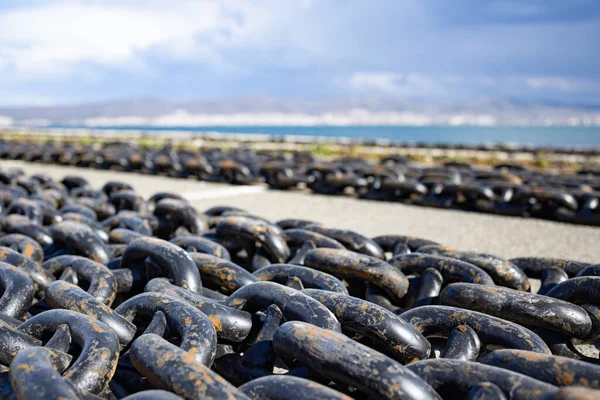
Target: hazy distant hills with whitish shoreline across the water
367, 110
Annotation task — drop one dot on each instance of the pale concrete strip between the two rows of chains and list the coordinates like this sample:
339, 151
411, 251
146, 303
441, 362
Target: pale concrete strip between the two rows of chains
504, 236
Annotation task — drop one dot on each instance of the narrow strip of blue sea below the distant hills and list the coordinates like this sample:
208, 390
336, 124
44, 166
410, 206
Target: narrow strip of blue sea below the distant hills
554, 136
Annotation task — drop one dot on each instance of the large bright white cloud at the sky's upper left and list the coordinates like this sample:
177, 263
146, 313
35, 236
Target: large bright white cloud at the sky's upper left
52, 39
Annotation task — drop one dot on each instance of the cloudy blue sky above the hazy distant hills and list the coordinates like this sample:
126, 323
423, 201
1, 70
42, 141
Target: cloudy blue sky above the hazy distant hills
57, 52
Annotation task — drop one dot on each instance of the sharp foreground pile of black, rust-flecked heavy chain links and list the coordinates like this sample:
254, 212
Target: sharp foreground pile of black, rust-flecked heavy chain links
109, 295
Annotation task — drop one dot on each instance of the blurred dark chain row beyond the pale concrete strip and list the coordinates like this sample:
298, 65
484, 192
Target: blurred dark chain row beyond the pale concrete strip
505, 189
